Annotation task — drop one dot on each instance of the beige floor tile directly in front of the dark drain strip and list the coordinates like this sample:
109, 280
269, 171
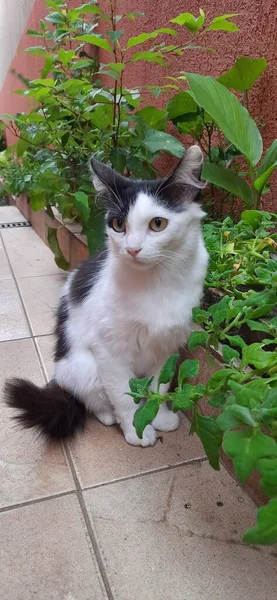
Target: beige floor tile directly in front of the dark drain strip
29, 256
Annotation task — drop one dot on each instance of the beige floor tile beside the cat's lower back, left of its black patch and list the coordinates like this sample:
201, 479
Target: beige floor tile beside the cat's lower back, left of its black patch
41, 297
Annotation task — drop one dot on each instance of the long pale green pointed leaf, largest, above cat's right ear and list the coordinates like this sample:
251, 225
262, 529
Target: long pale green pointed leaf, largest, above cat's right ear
229, 114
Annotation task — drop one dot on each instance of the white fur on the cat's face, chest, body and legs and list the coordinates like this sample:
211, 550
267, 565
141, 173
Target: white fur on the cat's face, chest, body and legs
137, 314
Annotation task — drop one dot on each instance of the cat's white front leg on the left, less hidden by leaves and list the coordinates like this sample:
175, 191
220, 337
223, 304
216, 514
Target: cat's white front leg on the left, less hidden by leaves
115, 376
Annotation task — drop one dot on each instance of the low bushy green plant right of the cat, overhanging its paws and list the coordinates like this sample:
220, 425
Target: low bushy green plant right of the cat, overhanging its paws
244, 390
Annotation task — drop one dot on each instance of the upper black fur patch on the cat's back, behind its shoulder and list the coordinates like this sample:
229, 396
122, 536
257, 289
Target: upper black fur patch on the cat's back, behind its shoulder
84, 277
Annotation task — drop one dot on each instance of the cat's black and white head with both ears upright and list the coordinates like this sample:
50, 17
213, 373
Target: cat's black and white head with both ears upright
149, 221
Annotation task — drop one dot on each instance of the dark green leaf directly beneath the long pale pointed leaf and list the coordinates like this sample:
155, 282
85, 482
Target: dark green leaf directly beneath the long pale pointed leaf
228, 180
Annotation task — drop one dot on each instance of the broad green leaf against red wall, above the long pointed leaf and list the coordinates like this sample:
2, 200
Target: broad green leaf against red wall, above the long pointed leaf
243, 73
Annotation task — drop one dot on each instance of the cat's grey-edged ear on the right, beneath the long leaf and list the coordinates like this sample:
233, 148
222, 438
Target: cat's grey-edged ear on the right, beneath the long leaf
188, 171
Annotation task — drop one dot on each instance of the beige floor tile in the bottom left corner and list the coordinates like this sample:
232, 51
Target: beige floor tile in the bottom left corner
45, 554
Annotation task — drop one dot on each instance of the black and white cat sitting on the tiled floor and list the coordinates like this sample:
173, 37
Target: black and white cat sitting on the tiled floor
125, 311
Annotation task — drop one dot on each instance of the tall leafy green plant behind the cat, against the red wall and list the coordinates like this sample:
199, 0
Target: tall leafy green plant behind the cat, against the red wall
74, 114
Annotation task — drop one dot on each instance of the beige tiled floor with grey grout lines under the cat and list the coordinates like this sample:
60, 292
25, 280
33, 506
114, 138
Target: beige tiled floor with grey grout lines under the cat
97, 519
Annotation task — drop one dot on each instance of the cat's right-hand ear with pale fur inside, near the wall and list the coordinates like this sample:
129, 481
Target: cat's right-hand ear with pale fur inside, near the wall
188, 172
